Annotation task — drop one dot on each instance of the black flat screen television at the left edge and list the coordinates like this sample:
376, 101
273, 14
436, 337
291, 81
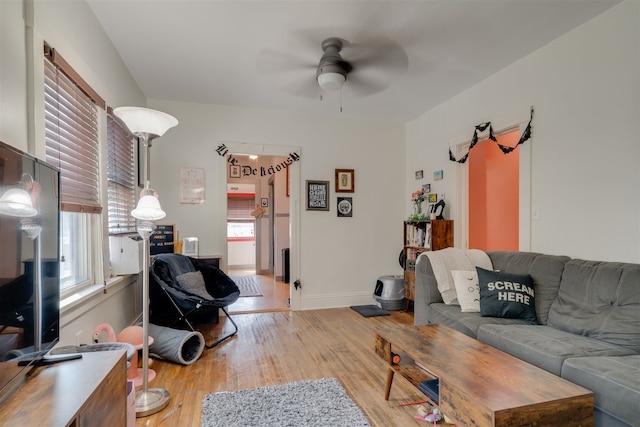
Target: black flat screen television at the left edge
29, 267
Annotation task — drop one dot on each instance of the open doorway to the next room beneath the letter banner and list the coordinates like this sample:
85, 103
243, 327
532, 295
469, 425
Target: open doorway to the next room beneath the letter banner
260, 282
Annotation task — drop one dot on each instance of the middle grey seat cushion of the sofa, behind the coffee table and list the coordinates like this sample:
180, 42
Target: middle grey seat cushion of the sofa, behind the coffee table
543, 346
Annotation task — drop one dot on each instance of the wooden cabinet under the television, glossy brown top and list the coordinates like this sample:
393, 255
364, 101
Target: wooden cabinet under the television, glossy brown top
87, 392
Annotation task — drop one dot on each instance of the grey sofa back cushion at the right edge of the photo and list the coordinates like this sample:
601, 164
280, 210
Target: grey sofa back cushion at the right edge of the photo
600, 300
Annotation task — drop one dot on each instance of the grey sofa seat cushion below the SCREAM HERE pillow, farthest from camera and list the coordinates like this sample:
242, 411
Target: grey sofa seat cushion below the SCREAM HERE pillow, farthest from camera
467, 323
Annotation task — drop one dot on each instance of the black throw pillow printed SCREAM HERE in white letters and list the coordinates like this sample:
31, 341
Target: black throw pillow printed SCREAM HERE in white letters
506, 295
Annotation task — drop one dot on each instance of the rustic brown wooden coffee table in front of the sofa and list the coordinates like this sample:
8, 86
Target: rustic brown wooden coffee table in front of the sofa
480, 385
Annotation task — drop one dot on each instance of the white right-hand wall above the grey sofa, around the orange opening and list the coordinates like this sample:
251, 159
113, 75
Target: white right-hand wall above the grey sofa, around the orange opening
586, 138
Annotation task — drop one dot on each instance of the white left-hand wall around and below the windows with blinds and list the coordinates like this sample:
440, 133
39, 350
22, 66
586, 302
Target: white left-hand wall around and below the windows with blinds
71, 28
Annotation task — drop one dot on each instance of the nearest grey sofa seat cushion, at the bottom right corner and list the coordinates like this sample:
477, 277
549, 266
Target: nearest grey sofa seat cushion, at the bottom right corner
615, 382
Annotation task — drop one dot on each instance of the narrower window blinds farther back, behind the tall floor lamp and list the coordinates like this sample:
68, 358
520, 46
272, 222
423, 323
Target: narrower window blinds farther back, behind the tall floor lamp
121, 178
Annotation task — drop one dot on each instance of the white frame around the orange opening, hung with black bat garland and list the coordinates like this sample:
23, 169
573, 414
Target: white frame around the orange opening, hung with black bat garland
462, 190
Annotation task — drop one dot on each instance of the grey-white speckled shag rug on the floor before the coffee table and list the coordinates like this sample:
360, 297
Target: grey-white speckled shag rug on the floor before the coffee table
313, 403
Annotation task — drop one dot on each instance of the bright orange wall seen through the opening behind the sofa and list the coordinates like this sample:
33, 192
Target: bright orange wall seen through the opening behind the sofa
494, 195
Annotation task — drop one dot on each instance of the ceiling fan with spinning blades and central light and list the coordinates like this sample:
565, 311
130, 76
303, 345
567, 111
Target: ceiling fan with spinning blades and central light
370, 67
